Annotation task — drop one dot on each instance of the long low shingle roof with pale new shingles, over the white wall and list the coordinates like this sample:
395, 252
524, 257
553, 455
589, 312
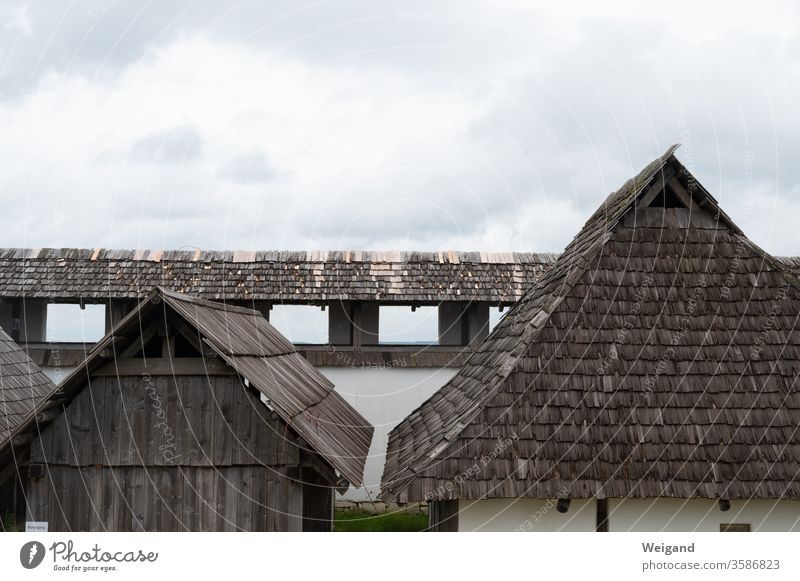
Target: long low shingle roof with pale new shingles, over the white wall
405, 277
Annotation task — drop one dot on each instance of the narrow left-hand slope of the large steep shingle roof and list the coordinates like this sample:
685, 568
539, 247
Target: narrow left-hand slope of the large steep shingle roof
535, 308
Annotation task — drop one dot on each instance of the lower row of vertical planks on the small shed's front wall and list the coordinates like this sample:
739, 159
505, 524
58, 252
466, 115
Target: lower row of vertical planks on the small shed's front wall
128, 498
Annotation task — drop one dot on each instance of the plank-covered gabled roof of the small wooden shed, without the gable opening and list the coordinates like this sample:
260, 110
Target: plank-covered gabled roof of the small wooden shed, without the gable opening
294, 389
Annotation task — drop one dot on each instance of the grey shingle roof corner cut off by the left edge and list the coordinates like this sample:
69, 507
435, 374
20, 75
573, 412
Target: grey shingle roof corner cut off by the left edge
22, 387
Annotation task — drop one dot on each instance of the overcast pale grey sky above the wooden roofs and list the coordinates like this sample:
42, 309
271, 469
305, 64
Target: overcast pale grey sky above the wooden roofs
473, 125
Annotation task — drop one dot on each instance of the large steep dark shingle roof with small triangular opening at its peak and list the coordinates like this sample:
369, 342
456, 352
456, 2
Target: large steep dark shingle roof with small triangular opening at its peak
555, 400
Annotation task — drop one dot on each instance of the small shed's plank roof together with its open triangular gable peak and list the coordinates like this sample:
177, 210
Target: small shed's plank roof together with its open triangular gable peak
170, 334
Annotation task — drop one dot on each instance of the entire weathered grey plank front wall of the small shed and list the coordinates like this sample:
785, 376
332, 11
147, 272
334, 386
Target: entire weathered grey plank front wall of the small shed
162, 453
